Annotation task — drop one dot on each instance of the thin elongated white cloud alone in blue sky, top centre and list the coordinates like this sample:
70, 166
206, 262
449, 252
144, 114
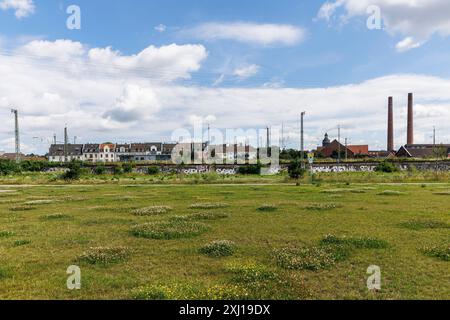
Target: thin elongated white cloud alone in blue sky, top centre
261, 34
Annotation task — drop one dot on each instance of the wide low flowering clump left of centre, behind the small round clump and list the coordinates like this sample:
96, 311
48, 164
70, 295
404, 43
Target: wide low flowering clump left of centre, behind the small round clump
174, 229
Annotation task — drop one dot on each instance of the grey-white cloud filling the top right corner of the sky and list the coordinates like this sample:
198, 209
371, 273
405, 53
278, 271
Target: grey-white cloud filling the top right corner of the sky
415, 20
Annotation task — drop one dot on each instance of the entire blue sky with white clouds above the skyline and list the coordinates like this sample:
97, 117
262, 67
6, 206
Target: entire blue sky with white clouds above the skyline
139, 70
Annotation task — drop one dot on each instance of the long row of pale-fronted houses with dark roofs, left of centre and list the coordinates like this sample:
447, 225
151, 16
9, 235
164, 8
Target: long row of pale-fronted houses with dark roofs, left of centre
142, 152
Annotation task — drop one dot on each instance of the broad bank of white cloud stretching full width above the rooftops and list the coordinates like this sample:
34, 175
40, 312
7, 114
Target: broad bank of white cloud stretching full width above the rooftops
128, 106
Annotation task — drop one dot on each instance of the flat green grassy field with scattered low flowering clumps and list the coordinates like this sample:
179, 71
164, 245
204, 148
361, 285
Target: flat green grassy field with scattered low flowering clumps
283, 241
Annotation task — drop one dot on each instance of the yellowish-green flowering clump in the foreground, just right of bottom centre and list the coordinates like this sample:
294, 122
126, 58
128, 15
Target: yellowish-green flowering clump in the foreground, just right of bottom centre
250, 273
